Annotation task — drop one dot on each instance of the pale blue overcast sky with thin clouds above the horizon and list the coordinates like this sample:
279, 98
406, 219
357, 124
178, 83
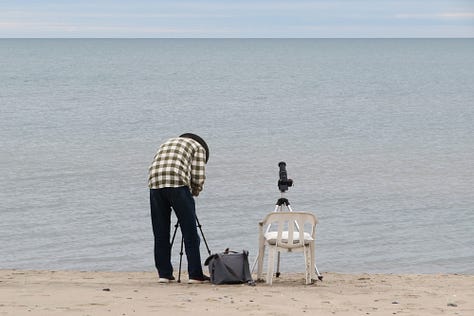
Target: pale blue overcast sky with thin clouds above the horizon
234, 18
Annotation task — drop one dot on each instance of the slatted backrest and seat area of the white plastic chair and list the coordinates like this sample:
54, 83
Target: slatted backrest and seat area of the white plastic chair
288, 228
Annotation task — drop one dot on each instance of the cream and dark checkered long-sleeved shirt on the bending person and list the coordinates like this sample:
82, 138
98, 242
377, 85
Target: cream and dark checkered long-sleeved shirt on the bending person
179, 162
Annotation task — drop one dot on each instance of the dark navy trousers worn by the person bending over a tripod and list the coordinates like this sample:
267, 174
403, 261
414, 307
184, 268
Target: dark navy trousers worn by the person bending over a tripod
181, 201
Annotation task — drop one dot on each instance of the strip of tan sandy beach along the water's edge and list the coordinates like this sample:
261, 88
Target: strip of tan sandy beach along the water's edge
139, 293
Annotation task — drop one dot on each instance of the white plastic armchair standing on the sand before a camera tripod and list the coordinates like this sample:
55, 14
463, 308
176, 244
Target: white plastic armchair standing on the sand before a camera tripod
285, 231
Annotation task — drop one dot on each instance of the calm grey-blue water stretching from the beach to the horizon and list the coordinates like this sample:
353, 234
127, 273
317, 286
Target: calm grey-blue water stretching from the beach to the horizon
377, 134
